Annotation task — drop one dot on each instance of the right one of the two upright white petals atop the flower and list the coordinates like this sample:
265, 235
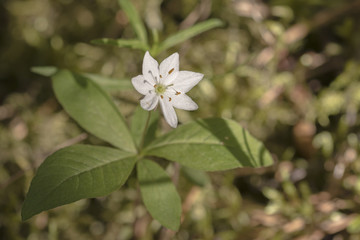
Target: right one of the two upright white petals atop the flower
169, 68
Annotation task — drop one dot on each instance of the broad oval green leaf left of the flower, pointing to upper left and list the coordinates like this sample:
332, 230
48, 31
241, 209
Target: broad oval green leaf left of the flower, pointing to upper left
92, 108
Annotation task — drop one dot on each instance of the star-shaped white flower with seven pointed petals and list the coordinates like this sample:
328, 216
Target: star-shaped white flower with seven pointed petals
166, 85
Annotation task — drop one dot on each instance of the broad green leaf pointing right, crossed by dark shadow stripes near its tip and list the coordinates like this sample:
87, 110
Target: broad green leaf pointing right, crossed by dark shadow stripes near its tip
210, 145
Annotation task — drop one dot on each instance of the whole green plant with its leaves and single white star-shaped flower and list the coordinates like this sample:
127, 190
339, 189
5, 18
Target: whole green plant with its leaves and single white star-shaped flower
87, 171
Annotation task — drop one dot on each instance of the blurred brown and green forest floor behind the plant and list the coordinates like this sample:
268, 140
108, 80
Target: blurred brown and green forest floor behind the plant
287, 70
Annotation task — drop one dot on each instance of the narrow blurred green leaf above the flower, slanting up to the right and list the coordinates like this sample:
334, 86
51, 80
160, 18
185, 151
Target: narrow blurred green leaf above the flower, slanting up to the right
188, 33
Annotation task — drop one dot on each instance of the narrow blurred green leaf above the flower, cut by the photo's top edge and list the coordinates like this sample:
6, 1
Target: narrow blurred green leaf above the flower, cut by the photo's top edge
134, 19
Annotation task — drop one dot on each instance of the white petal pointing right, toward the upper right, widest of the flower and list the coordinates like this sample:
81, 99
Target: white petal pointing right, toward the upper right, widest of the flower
186, 80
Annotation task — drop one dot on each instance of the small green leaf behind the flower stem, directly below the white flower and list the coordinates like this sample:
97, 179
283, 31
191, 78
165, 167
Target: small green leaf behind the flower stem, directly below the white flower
138, 125
